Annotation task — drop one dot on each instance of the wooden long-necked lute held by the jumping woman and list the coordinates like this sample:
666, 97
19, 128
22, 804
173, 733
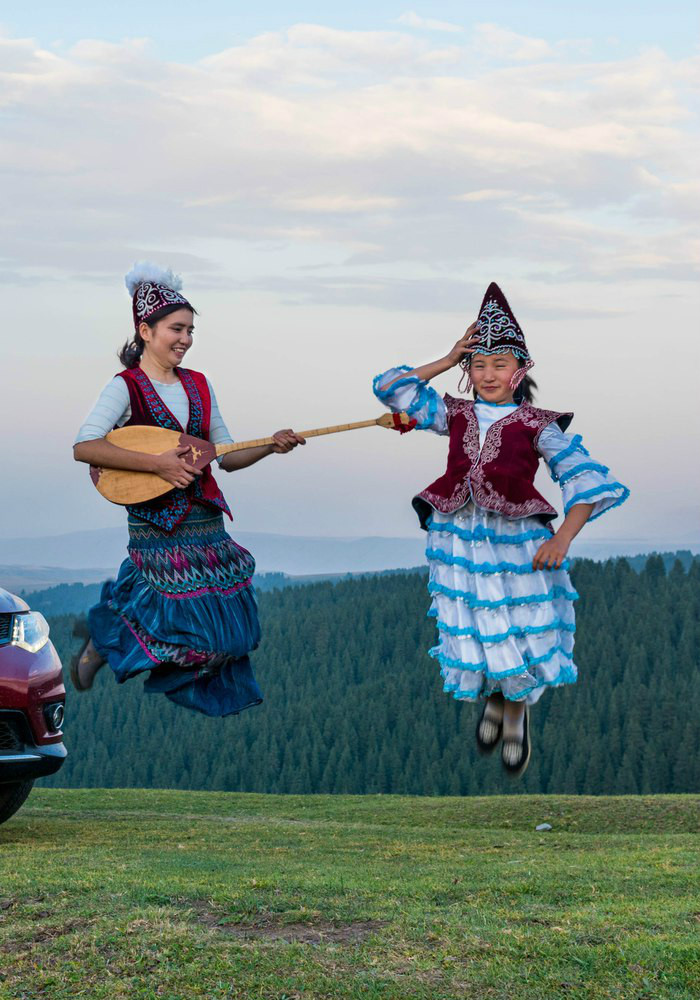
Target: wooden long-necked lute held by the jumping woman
125, 487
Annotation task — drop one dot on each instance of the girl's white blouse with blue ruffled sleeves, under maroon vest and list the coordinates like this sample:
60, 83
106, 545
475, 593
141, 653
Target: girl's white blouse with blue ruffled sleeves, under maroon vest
581, 478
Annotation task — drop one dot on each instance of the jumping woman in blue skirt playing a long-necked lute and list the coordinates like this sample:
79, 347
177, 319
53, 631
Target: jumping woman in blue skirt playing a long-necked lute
183, 607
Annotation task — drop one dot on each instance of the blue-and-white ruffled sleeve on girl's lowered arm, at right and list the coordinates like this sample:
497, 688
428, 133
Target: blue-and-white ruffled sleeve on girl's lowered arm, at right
582, 479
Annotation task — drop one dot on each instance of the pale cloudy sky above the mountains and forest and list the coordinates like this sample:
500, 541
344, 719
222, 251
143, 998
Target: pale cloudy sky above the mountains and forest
337, 187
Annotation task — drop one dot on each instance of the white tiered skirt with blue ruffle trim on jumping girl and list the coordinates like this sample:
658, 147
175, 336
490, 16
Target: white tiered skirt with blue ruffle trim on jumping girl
501, 624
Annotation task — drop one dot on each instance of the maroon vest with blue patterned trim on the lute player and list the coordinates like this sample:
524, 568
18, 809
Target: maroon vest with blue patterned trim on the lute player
148, 408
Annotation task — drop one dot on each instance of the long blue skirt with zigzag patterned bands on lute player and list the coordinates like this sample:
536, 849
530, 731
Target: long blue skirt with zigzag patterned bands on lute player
183, 608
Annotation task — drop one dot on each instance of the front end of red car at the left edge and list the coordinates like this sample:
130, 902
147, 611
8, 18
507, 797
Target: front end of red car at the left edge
32, 701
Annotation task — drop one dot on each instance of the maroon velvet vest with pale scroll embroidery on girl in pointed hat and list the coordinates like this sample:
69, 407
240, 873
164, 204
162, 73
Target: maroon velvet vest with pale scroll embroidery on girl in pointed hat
499, 477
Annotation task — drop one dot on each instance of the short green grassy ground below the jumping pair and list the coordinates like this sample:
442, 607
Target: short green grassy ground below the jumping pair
144, 894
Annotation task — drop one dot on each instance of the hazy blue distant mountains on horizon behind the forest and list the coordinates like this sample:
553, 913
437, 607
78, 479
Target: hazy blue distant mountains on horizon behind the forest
91, 556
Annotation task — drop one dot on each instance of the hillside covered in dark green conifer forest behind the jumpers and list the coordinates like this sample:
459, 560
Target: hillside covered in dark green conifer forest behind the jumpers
353, 704
